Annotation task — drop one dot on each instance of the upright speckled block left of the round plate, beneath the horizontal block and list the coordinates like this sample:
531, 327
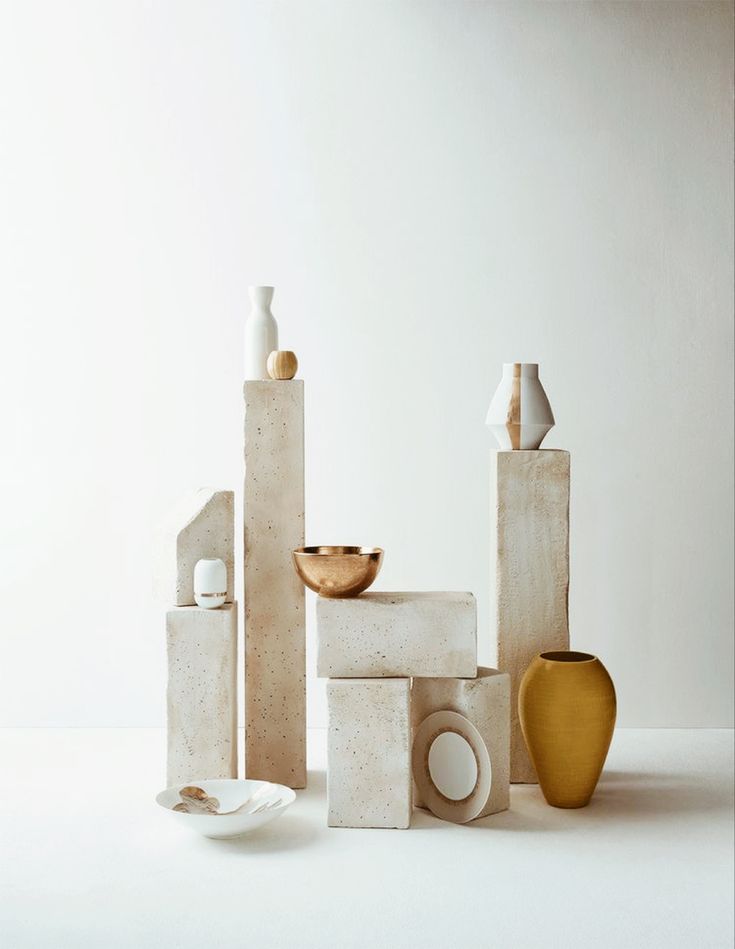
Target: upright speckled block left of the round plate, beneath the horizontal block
369, 773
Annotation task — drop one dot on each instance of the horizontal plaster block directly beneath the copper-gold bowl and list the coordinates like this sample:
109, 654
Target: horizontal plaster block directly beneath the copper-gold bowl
397, 634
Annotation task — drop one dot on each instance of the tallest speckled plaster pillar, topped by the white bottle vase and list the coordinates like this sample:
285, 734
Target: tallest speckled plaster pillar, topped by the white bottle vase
275, 634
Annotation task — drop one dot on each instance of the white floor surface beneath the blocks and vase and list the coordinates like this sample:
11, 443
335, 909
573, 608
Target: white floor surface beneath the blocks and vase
88, 860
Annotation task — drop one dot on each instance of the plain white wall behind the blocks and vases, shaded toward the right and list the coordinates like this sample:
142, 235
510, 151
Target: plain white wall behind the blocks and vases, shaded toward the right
433, 188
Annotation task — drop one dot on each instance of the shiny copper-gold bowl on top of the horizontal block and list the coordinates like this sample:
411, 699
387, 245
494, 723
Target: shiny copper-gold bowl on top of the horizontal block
337, 571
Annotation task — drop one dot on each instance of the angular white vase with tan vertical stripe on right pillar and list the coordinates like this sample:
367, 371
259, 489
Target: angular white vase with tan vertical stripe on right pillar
520, 415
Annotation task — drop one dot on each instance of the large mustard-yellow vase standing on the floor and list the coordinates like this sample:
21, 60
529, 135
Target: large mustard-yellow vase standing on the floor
567, 709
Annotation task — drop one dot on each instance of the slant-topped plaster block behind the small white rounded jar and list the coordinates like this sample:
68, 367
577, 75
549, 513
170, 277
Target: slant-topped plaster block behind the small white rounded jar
202, 525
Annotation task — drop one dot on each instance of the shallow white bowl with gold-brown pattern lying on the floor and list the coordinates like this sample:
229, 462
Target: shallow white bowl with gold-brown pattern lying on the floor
230, 793
